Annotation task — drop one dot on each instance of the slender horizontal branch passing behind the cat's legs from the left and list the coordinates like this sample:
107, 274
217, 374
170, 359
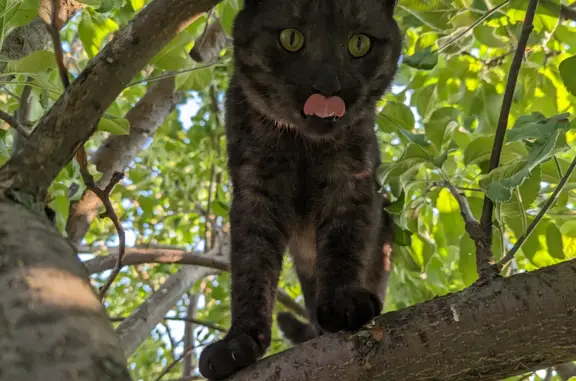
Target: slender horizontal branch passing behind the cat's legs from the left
136, 256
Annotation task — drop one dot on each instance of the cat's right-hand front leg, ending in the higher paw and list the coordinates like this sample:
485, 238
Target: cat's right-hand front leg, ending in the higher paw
347, 234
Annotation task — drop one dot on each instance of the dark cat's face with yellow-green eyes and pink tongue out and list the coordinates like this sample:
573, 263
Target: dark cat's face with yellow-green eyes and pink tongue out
317, 66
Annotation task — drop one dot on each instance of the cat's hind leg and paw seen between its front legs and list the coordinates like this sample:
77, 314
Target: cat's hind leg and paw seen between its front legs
294, 329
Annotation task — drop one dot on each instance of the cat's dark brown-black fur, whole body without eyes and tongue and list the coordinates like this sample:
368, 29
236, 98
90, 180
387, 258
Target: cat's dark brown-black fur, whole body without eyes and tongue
306, 184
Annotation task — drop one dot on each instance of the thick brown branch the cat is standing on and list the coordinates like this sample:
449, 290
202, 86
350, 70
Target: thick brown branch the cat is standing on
508, 327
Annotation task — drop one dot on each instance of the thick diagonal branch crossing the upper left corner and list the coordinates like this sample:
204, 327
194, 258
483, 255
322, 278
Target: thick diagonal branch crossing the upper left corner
73, 118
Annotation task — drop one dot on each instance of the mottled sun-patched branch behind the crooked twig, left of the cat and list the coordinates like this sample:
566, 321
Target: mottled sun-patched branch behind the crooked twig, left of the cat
118, 151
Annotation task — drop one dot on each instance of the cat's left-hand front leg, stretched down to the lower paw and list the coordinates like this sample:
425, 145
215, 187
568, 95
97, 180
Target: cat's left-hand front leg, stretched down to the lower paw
259, 235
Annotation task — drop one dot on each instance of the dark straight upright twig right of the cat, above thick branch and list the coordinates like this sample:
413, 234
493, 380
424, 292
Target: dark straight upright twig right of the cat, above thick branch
486, 261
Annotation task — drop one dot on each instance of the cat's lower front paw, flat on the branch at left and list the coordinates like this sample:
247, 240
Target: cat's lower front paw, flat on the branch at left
226, 357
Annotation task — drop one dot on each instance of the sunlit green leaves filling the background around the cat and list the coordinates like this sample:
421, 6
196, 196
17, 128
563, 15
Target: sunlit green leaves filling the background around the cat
436, 124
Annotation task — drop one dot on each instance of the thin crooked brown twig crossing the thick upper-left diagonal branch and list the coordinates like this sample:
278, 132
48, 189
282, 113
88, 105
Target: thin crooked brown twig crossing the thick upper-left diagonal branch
81, 157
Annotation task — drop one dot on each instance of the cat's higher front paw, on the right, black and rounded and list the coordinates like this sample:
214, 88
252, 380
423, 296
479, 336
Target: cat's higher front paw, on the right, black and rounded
348, 309
